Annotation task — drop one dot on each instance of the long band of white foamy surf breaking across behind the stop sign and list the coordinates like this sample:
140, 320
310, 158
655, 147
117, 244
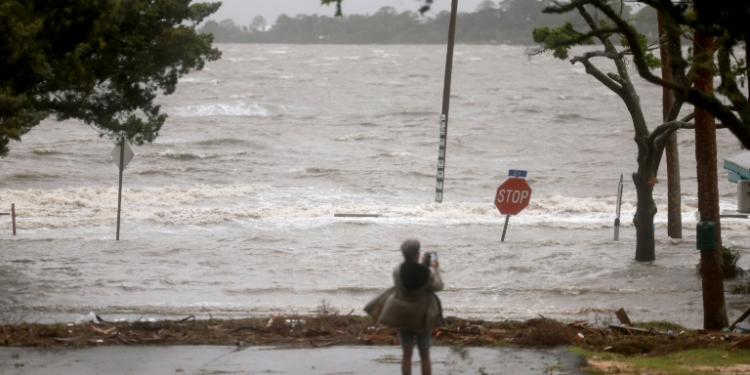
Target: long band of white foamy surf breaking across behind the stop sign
214, 204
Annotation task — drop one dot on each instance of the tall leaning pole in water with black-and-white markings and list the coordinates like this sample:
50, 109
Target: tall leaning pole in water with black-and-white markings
446, 104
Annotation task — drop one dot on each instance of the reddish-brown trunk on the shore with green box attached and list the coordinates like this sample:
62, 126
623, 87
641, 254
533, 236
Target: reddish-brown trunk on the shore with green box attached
714, 306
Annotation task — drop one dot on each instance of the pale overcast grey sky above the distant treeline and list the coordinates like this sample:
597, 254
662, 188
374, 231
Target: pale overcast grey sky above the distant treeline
243, 11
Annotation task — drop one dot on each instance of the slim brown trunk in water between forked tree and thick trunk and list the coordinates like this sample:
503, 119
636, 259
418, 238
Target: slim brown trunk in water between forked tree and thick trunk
674, 190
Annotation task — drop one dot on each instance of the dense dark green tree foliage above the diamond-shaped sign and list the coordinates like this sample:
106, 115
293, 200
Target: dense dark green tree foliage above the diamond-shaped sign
99, 61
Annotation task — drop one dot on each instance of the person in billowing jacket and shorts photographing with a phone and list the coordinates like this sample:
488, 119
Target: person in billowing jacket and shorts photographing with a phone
411, 306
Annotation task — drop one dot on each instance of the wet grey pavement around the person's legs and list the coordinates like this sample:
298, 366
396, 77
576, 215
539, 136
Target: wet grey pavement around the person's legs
207, 360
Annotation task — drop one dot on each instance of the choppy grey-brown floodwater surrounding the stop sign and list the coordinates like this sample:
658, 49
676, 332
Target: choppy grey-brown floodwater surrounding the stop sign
230, 212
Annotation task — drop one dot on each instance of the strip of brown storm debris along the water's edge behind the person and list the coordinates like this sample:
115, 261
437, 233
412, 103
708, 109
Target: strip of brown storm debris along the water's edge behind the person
333, 330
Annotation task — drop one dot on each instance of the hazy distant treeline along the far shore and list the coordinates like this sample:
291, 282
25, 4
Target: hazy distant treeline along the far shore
504, 22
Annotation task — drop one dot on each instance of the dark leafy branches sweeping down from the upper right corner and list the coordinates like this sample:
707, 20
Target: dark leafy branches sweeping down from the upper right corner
725, 20
